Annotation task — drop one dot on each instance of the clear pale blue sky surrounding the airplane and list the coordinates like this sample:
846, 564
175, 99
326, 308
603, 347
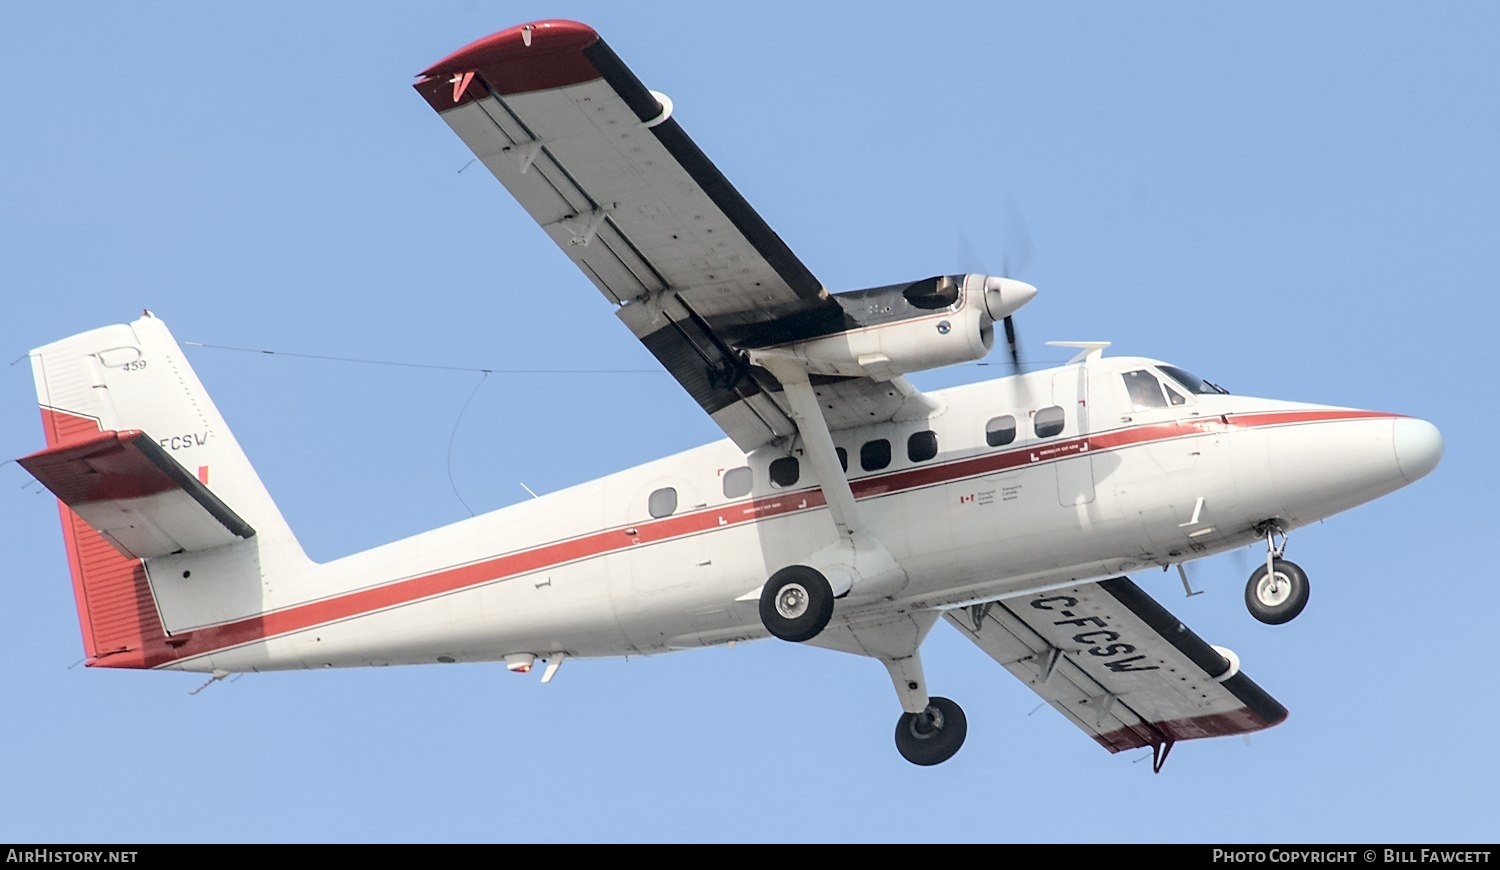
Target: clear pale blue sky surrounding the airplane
1292, 200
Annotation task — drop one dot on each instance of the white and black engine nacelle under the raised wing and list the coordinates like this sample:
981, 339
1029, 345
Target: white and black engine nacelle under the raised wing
934, 323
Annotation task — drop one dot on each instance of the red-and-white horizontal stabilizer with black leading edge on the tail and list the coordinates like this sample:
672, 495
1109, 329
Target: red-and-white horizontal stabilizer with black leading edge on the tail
142, 500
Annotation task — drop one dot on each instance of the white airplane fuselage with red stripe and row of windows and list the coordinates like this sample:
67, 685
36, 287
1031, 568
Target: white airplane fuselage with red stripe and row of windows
592, 572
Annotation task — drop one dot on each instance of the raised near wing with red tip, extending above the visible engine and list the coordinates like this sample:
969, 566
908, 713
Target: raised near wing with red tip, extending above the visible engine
599, 163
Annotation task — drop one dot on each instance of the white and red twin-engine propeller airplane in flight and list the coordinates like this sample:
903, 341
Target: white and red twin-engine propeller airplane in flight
844, 509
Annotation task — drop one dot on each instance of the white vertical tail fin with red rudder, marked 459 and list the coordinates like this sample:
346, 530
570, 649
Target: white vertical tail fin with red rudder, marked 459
146, 470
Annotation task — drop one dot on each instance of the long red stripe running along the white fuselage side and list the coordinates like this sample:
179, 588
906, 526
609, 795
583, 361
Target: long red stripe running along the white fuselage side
412, 590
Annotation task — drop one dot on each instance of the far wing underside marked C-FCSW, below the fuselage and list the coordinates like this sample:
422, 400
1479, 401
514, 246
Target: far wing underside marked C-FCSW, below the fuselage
1120, 667
